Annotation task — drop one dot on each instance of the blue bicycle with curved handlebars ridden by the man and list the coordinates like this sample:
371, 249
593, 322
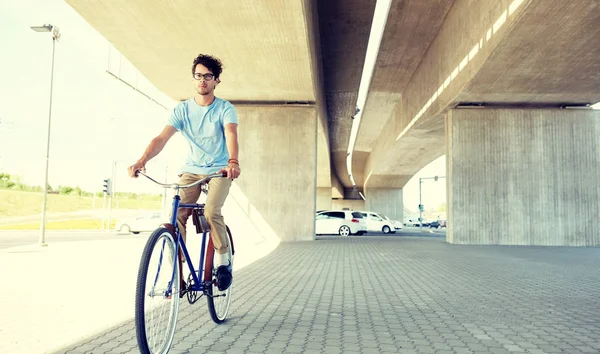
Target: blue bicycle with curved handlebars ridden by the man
160, 282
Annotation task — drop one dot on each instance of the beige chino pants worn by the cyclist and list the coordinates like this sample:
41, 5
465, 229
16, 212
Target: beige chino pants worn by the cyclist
218, 189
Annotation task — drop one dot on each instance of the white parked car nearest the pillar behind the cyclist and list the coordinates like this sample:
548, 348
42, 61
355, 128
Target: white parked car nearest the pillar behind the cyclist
342, 222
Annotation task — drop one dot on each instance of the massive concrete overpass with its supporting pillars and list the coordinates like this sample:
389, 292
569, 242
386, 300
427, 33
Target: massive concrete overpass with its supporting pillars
522, 169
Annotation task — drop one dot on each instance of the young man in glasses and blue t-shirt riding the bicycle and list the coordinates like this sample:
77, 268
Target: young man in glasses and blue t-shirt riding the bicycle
209, 124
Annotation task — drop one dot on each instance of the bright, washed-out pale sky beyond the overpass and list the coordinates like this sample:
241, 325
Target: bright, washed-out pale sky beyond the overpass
96, 119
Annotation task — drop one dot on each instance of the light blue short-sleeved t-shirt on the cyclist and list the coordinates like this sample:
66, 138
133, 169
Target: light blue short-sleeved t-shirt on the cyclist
203, 129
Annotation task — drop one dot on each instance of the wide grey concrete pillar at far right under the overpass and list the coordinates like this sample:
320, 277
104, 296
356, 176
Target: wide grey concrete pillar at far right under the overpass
523, 177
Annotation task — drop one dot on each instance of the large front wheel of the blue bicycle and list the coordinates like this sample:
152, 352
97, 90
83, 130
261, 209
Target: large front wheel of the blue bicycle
156, 299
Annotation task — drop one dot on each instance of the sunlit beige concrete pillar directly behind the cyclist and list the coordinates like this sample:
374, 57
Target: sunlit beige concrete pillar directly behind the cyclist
276, 192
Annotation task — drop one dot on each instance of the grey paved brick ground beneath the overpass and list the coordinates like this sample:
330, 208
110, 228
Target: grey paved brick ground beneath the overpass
396, 295
